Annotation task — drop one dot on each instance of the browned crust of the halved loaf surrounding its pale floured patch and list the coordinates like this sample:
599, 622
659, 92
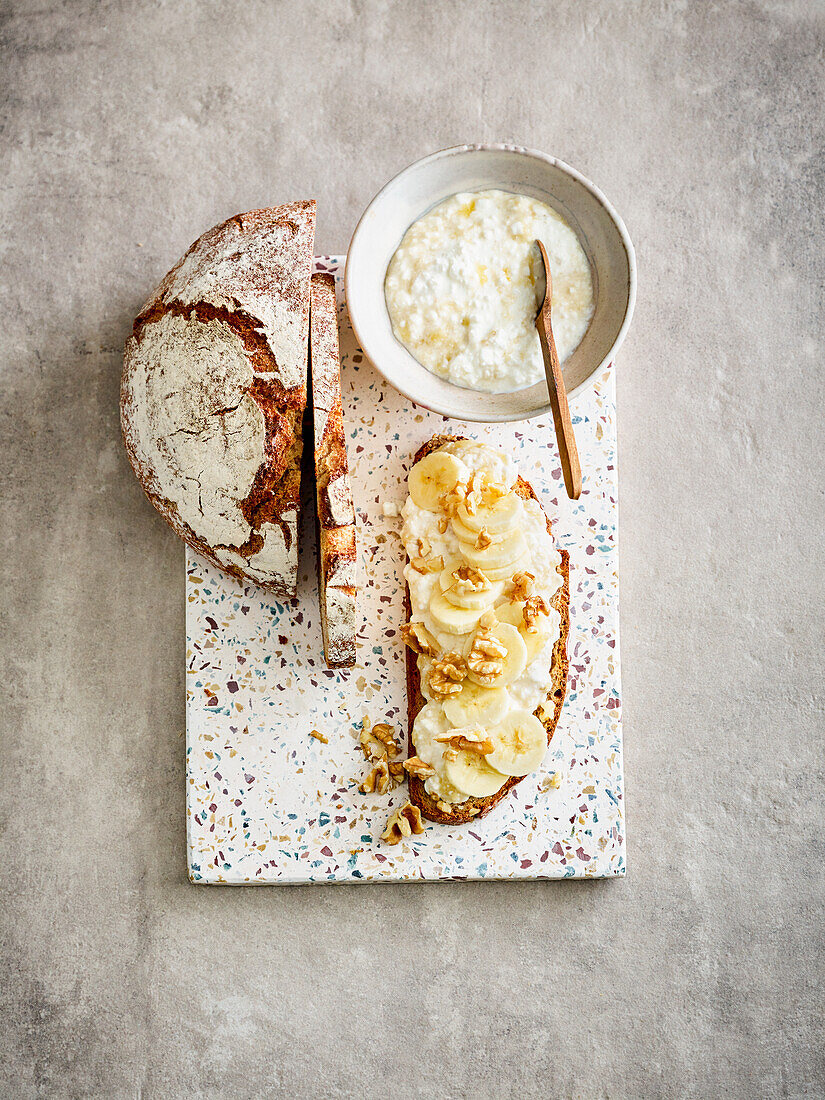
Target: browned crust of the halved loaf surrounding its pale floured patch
226, 276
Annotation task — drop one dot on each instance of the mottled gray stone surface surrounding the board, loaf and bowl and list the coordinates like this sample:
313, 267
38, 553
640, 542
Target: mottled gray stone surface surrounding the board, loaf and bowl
126, 130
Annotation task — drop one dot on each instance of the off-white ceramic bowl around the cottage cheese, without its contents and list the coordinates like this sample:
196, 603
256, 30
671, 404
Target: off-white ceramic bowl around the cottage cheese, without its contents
472, 169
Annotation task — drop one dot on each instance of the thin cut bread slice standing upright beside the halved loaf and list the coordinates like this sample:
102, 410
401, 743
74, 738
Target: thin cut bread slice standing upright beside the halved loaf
335, 511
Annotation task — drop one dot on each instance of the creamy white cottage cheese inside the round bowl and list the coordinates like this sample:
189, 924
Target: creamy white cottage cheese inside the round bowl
461, 290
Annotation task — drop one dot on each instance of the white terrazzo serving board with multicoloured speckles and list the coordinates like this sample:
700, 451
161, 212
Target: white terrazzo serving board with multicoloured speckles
269, 804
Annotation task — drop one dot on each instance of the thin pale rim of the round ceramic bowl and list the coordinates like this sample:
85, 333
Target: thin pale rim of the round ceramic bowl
589, 185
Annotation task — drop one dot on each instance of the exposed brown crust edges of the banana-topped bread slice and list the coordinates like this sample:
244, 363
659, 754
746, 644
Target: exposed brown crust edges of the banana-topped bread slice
548, 712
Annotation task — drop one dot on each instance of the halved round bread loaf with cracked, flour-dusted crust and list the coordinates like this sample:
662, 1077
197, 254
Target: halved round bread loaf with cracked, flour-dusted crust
214, 392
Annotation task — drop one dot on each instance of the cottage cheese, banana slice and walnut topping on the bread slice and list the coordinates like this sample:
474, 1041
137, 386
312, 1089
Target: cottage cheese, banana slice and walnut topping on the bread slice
463, 487
